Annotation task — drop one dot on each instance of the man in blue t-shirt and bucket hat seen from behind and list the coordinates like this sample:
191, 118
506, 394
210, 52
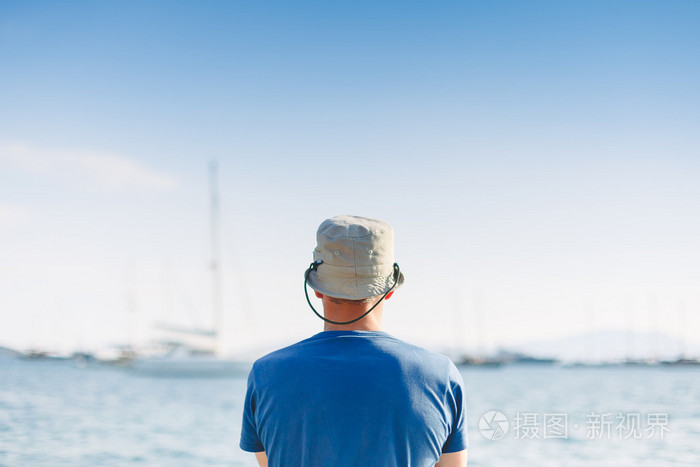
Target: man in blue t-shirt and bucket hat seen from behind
353, 395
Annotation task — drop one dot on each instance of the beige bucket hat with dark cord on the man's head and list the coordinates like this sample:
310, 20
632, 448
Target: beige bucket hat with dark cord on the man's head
354, 258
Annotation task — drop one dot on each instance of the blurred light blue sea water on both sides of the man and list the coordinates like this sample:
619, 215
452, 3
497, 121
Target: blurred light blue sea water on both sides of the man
56, 414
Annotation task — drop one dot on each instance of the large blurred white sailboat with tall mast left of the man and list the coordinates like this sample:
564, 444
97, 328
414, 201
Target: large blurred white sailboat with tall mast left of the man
182, 359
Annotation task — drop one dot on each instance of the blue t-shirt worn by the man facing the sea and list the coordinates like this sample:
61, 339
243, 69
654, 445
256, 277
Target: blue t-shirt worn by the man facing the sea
354, 398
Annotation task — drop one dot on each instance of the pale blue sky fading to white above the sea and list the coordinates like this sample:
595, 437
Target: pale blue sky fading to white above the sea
541, 154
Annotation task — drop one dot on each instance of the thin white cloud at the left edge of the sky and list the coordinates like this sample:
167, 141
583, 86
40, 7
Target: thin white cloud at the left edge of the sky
107, 171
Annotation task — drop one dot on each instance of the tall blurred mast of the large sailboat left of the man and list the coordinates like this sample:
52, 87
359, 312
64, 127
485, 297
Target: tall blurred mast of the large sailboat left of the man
216, 298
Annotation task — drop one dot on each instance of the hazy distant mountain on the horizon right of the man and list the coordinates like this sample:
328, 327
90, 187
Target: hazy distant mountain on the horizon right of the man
610, 346
